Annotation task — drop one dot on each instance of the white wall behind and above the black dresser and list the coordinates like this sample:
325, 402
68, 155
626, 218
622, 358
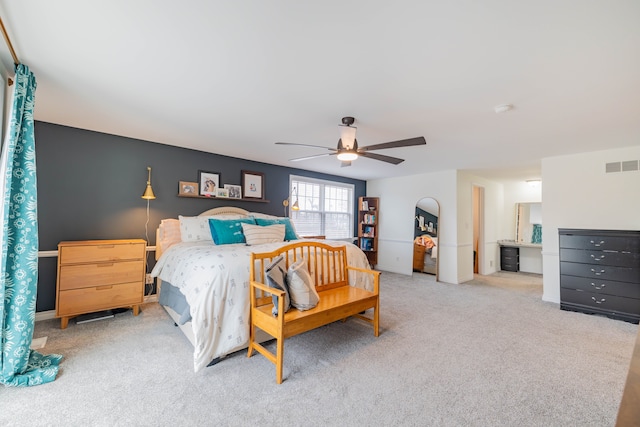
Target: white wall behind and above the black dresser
577, 193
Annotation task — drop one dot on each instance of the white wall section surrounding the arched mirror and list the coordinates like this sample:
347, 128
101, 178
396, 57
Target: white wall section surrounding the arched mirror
453, 191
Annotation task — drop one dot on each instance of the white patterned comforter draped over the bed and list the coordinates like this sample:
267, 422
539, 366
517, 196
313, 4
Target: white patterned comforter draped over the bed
215, 282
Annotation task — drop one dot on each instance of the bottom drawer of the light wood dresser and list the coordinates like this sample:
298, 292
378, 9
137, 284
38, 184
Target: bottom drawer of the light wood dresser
86, 300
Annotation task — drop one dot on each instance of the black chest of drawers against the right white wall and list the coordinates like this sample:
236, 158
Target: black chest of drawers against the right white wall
600, 272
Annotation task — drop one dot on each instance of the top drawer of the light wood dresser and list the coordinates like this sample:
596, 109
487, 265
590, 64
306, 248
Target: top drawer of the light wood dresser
74, 254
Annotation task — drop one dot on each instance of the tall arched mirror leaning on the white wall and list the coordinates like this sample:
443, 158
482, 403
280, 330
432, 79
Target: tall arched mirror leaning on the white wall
425, 236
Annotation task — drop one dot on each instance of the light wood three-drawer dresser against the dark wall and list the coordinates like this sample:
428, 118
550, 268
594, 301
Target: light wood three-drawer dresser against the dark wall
96, 275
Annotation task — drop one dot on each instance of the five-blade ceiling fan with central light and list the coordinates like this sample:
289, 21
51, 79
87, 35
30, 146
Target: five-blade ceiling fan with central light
348, 150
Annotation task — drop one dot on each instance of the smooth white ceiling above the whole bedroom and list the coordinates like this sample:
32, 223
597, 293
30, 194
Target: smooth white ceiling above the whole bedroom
234, 77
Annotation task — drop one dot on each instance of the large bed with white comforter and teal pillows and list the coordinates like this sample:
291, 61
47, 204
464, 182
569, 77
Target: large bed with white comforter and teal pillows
204, 286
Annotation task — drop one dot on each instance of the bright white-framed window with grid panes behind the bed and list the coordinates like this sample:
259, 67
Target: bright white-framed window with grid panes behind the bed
326, 207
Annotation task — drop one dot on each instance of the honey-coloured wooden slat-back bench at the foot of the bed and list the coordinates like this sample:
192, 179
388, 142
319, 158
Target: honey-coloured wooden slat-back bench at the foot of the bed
338, 299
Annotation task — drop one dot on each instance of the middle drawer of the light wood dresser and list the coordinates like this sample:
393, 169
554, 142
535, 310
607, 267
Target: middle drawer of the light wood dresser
107, 273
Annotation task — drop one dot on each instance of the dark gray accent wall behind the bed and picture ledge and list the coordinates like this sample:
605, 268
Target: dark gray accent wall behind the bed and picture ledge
90, 183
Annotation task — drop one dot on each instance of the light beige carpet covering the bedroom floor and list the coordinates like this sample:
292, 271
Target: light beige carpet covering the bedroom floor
486, 353
